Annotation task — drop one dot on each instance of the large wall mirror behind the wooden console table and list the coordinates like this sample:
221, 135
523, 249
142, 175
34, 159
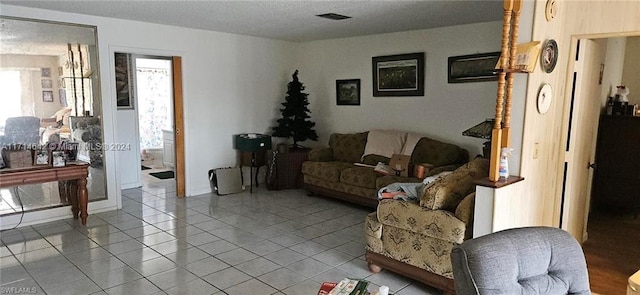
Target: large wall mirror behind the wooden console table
49, 77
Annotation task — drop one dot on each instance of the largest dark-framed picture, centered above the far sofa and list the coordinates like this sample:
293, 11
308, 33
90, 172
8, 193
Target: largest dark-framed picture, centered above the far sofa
398, 75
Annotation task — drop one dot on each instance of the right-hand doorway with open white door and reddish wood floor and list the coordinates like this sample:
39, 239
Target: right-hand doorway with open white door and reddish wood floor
609, 237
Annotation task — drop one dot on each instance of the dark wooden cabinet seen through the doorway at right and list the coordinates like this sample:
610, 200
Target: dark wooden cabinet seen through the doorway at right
617, 177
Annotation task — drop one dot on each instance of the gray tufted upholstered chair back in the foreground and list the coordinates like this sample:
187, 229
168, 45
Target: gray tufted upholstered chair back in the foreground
529, 260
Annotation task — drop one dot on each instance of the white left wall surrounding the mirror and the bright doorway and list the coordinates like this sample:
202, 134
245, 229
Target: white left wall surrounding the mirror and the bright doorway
231, 84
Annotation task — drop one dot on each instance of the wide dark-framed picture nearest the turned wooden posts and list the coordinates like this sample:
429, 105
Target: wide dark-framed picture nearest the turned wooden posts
473, 67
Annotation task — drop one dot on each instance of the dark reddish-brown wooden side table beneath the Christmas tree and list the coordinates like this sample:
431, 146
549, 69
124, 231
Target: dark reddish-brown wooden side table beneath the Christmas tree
288, 168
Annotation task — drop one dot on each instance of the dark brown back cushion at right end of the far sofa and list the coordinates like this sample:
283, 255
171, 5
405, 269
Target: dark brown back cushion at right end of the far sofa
437, 153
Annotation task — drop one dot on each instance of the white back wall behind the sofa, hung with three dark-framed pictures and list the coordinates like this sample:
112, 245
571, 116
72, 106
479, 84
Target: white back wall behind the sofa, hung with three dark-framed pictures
323, 62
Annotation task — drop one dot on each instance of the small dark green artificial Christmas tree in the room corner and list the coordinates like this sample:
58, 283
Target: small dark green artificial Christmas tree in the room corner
295, 119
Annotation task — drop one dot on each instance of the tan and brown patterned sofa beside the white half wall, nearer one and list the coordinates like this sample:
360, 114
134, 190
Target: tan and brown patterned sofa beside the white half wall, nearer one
415, 239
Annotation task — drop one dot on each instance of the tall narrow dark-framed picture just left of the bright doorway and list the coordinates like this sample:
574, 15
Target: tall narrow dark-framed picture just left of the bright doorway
124, 80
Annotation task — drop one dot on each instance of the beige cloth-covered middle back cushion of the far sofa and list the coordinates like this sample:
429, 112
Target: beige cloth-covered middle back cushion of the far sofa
384, 142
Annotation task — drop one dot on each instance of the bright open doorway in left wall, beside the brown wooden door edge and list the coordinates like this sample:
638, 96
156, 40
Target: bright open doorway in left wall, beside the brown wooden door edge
154, 89
